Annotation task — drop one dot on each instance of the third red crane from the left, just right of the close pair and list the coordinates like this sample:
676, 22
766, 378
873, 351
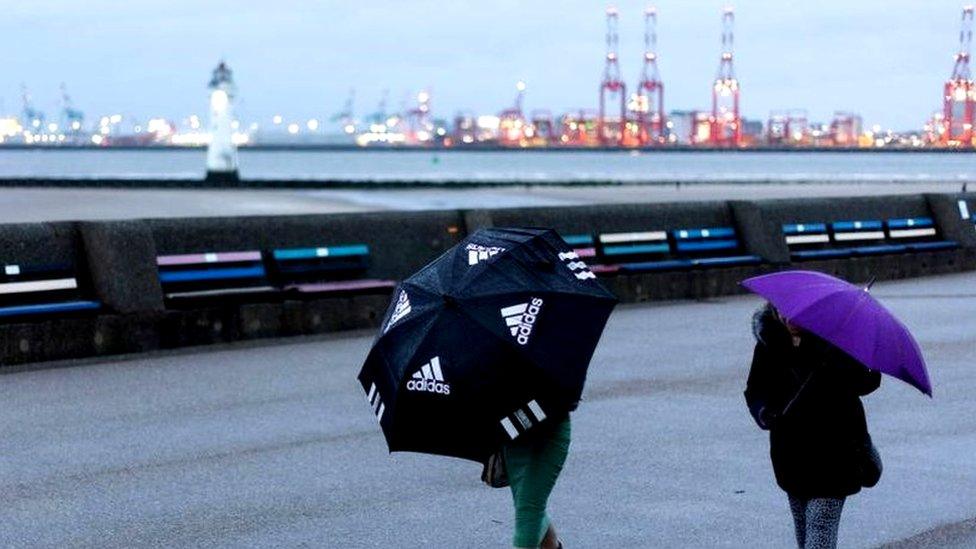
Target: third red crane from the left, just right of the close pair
726, 124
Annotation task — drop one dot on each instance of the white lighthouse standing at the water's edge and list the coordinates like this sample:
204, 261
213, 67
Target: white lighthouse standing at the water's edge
222, 153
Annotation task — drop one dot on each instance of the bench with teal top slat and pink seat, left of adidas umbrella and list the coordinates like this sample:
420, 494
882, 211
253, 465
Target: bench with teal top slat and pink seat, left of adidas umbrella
326, 270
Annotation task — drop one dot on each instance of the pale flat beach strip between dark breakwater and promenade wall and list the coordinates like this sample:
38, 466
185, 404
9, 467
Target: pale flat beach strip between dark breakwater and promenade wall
40, 204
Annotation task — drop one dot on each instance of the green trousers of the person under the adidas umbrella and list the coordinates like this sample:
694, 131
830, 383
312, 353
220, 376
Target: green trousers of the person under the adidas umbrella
534, 463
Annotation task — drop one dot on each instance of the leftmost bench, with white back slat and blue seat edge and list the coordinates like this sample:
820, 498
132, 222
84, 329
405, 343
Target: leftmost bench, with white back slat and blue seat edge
29, 290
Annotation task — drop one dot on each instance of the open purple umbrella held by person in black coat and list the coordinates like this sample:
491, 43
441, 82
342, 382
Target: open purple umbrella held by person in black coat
848, 317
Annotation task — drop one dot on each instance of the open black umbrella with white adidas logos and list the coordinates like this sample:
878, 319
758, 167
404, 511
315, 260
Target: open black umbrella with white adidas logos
485, 343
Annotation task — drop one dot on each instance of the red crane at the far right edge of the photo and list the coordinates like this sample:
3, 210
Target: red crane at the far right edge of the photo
959, 95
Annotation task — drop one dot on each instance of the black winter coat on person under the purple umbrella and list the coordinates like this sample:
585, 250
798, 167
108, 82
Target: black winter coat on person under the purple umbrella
808, 397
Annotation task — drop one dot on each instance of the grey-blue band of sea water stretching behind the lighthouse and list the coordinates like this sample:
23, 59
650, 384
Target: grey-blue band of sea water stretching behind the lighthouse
509, 166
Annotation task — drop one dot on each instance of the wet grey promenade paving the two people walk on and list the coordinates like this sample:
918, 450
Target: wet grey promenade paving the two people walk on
273, 445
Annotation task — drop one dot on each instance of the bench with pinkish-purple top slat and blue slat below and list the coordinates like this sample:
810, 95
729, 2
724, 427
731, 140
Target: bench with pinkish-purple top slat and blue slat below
212, 275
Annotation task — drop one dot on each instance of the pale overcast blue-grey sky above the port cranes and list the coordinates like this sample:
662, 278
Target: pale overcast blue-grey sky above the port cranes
884, 59
